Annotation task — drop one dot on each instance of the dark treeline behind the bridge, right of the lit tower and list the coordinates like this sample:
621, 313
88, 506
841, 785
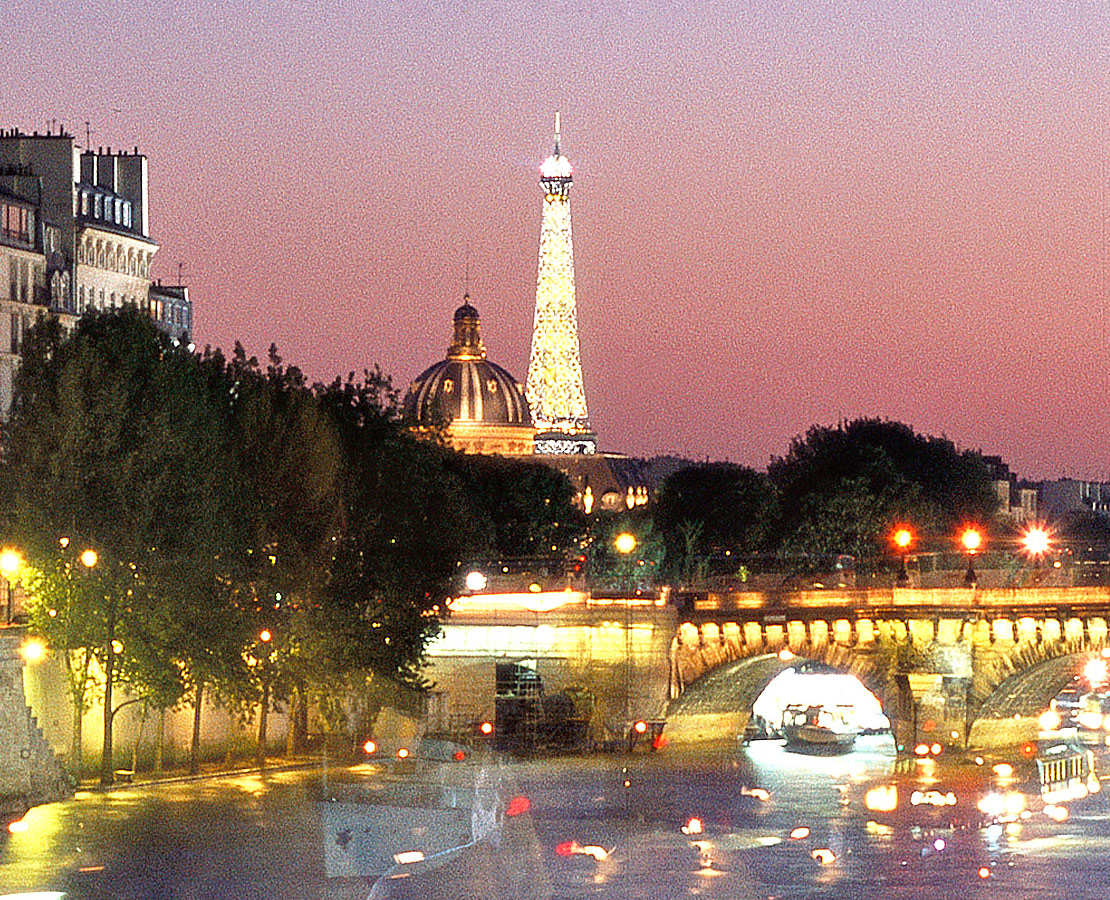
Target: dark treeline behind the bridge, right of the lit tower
839, 490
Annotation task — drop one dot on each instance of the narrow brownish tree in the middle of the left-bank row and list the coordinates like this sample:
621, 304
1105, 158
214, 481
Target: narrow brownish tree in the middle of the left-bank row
289, 461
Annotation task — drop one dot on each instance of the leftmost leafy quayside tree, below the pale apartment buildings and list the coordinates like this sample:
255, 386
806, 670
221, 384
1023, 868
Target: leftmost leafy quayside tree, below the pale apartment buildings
115, 444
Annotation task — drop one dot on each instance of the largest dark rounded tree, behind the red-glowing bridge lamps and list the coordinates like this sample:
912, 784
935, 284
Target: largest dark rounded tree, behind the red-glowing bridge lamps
843, 489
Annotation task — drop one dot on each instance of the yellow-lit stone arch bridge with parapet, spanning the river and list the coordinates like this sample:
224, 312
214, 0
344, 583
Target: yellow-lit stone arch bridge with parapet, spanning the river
962, 666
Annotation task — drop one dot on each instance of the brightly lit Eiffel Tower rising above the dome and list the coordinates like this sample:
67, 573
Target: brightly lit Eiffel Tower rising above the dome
554, 388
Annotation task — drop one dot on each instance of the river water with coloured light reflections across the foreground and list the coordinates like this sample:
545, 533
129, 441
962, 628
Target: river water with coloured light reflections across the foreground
725, 822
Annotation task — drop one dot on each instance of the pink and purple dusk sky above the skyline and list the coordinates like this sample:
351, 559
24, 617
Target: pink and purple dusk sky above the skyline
785, 214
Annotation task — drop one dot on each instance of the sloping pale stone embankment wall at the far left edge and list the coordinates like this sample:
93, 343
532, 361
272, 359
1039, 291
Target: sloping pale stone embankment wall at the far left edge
31, 774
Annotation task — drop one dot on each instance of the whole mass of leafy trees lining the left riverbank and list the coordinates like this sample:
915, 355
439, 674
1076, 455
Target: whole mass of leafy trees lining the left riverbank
227, 501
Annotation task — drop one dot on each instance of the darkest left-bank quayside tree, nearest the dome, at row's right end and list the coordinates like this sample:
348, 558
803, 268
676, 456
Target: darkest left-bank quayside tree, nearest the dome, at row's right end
407, 523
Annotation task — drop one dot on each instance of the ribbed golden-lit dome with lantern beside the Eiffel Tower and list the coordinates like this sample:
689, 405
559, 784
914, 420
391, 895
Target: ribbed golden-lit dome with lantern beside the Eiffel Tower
482, 405
